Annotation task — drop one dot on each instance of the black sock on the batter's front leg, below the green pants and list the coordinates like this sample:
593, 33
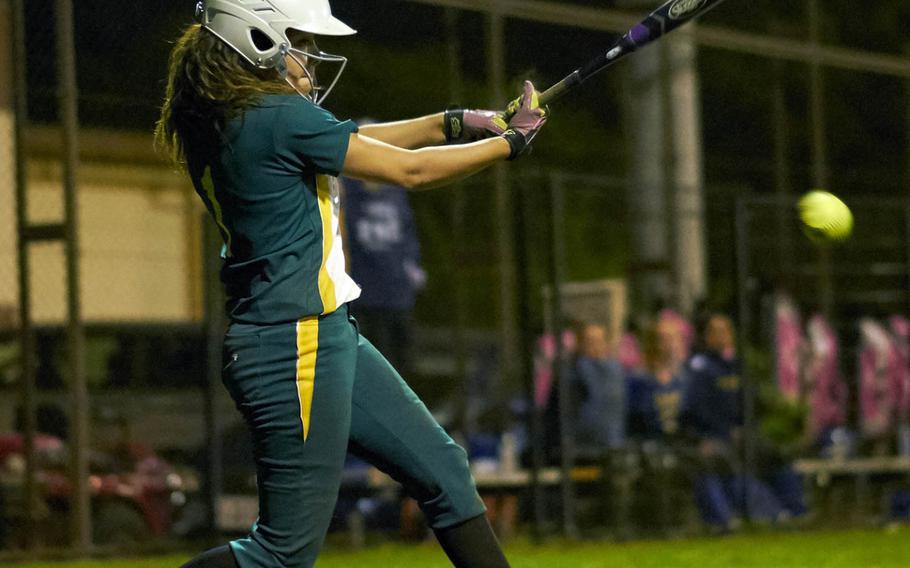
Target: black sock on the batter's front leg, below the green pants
472, 544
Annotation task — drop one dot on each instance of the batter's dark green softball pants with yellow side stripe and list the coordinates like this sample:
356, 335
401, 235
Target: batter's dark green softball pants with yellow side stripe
309, 392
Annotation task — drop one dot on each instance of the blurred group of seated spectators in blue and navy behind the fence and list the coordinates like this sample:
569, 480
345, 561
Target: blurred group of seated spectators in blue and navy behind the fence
672, 398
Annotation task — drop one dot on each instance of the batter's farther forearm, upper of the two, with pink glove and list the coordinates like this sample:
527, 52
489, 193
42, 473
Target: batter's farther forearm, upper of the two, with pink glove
453, 126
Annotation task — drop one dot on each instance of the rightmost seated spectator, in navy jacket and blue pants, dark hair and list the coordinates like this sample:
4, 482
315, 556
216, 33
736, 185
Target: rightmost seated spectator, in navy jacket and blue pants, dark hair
714, 415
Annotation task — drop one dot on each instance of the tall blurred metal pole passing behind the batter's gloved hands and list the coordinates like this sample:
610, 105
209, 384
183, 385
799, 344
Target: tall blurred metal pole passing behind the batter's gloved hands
505, 212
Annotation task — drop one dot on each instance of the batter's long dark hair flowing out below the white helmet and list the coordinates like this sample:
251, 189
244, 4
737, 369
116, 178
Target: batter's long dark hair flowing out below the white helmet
208, 84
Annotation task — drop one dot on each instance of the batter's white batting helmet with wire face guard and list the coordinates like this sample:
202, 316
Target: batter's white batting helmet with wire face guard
258, 31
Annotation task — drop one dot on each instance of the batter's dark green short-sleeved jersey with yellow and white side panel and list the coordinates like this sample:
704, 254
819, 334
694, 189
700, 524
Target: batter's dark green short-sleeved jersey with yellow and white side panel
270, 185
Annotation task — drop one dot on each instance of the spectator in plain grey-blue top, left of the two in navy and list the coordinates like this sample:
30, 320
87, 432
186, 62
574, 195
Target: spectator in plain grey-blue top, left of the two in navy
599, 388
